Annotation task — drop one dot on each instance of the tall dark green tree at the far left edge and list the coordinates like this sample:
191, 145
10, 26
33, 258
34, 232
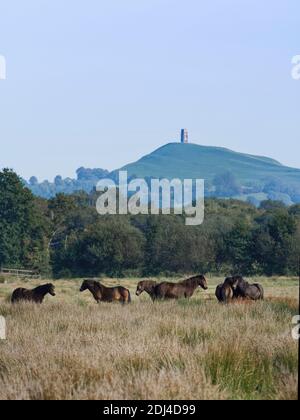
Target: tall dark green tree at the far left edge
23, 228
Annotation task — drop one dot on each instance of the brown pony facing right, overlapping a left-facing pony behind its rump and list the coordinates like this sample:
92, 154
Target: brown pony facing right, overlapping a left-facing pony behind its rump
184, 289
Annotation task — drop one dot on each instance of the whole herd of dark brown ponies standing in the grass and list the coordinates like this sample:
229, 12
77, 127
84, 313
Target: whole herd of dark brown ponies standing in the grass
232, 288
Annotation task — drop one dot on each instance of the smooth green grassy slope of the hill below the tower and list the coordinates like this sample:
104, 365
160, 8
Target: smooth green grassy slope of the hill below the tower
176, 160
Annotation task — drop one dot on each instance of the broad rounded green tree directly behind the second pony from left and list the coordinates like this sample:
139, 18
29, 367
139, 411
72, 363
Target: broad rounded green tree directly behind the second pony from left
109, 246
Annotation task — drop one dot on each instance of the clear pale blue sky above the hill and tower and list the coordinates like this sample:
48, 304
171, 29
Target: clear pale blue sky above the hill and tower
99, 83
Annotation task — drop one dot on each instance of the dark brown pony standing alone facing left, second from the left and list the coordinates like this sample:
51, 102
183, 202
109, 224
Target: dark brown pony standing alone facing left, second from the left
106, 294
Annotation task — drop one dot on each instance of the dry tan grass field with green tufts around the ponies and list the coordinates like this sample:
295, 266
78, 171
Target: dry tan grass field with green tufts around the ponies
72, 348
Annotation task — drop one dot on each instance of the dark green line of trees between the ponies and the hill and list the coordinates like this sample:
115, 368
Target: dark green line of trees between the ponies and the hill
65, 237
